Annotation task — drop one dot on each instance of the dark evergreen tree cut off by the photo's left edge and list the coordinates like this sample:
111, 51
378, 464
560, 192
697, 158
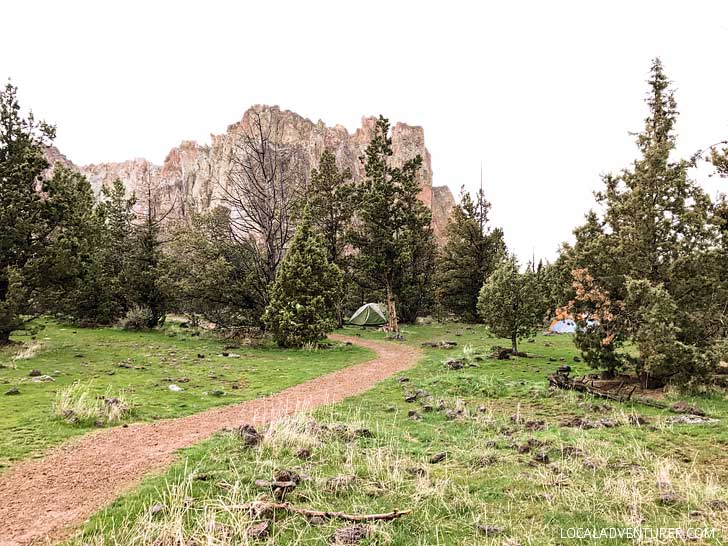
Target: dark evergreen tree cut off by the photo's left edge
42, 218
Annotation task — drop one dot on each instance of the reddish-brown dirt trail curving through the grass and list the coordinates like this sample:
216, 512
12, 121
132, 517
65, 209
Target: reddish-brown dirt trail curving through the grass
43, 501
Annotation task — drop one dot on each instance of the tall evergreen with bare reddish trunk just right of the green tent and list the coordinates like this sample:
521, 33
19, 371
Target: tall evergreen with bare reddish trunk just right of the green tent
390, 218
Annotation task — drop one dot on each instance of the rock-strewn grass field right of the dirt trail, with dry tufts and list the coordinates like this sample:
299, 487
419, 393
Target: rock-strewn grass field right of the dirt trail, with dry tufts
512, 472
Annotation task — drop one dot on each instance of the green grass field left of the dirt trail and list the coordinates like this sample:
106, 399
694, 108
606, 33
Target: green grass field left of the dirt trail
141, 366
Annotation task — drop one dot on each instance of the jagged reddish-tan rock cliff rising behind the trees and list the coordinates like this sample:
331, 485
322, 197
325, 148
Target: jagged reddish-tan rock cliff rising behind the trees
192, 174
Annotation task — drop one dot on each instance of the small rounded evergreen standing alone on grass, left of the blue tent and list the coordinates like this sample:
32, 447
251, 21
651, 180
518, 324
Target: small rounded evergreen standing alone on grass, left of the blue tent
510, 303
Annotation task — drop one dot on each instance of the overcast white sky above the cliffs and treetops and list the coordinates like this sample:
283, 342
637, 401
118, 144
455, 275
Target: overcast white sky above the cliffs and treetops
544, 93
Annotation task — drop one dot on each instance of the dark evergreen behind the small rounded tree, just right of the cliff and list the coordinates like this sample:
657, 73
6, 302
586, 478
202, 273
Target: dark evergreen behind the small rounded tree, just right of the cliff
470, 254
